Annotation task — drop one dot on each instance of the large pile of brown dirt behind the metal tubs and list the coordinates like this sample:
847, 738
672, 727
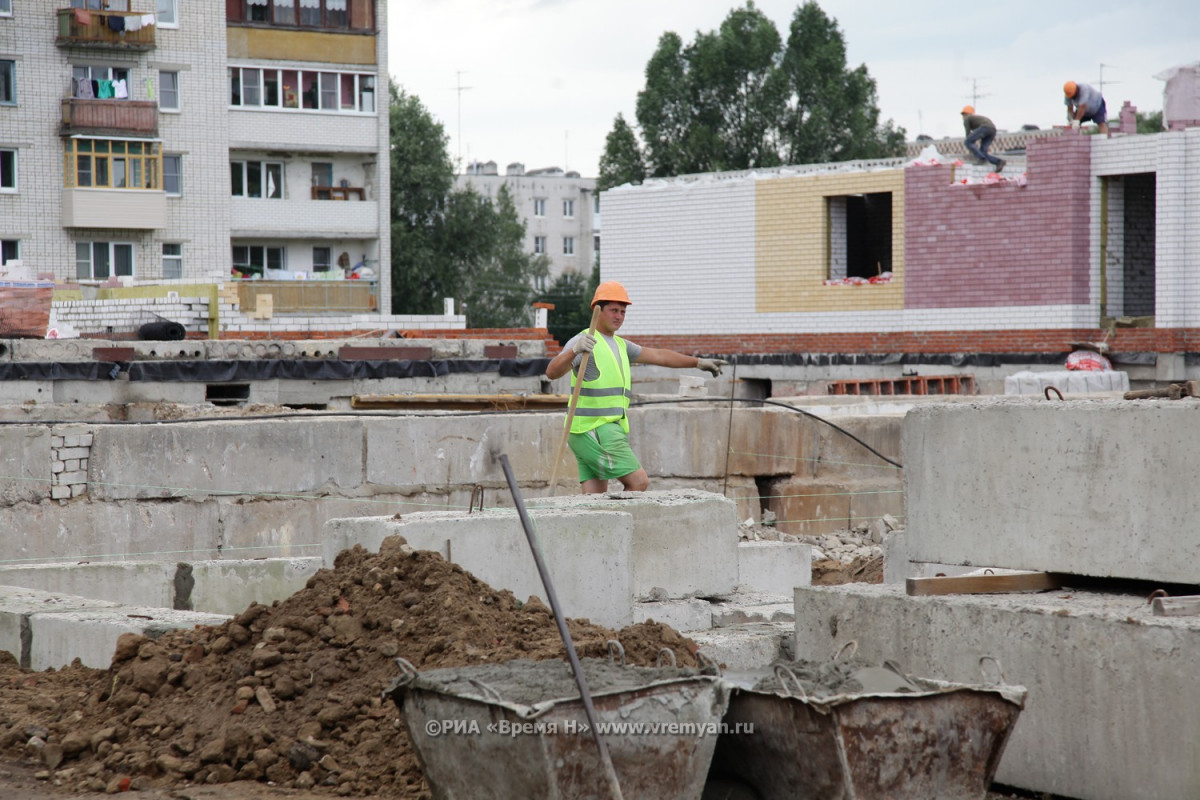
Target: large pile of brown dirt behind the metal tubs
290, 694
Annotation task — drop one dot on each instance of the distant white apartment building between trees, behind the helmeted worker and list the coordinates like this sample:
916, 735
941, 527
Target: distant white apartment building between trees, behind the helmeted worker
561, 212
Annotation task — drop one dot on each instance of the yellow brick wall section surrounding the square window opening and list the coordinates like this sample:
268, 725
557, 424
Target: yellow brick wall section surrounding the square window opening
793, 244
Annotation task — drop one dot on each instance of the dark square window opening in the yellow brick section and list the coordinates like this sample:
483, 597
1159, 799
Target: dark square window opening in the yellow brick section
860, 234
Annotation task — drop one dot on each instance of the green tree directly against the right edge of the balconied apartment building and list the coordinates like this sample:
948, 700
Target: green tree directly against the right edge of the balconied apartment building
422, 178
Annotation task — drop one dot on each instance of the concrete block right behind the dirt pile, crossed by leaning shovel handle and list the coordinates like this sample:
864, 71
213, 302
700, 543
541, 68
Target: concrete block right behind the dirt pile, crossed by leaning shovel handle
589, 555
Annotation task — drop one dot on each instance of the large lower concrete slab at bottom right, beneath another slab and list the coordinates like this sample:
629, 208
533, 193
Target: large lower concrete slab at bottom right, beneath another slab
1113, 695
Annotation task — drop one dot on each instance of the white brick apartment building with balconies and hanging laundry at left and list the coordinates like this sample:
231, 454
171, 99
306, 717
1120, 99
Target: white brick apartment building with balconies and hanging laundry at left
177, 141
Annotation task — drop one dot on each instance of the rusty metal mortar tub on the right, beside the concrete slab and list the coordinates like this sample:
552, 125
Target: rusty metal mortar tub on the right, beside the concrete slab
934, 741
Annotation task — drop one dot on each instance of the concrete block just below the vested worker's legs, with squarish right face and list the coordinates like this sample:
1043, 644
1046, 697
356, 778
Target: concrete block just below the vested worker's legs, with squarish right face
685, 542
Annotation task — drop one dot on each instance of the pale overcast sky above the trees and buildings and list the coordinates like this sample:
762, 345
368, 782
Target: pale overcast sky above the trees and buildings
543, 80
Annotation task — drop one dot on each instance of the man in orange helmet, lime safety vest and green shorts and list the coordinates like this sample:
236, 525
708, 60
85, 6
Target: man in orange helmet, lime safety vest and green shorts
599, 435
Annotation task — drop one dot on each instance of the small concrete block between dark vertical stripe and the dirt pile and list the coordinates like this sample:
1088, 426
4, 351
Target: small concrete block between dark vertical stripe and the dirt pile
230, 587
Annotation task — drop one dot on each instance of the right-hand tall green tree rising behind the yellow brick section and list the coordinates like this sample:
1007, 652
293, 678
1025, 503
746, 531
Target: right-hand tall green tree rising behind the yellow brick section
833, 113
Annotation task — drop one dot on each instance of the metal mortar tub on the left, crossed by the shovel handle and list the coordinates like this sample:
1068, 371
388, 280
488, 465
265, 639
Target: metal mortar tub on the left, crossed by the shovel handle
519, 730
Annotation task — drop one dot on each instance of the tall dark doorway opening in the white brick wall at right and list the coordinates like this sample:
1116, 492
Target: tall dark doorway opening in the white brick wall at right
1129, 246
